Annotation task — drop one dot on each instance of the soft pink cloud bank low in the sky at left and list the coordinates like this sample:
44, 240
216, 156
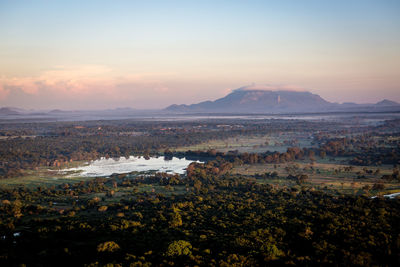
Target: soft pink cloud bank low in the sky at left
87, 86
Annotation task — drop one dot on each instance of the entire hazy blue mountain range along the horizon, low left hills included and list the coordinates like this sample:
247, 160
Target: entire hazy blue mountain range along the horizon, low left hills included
244, 100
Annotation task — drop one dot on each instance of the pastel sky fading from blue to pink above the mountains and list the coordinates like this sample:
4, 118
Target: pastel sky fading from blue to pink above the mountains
150, 54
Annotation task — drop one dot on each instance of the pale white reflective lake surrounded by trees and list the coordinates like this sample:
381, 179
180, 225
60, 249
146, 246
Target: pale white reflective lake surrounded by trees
106, 167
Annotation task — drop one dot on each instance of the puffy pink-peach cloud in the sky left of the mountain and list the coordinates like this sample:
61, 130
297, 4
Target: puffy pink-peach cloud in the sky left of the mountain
85, 82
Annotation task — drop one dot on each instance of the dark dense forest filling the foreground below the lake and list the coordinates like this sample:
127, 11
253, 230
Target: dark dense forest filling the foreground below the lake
218, 220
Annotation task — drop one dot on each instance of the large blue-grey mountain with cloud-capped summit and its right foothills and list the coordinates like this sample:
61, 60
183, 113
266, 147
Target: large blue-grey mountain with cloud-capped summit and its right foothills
263, 99
